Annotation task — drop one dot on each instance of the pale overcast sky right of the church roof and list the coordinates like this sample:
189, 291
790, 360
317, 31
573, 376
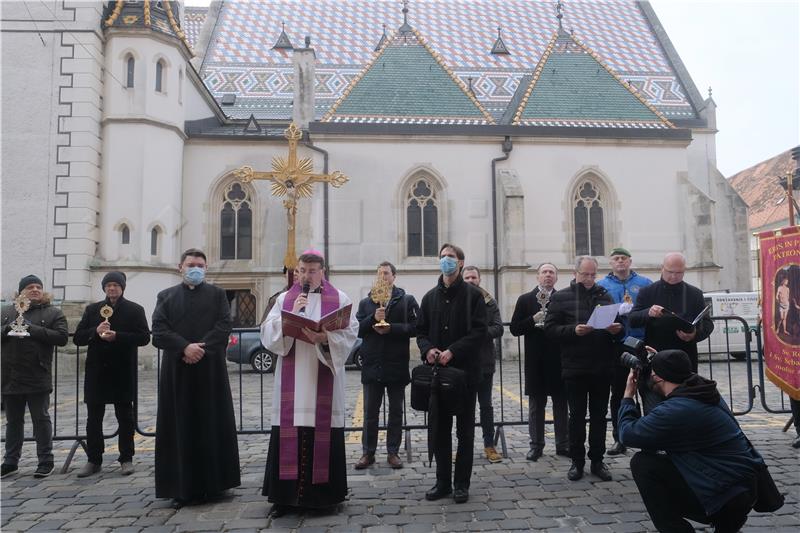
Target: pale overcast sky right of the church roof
748, 52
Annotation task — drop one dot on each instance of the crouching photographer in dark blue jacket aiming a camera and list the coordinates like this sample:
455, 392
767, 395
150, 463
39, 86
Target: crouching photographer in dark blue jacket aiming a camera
707, 470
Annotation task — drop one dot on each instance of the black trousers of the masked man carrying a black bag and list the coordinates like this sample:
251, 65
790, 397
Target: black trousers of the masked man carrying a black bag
465, 433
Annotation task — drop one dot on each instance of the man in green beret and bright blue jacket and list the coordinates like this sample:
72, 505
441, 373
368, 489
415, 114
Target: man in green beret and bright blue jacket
623, 284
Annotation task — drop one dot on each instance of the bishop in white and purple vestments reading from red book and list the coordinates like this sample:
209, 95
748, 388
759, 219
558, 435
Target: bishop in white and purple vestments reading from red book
306, 458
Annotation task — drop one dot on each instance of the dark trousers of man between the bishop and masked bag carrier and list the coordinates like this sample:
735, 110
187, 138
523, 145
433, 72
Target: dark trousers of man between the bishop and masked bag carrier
373, 397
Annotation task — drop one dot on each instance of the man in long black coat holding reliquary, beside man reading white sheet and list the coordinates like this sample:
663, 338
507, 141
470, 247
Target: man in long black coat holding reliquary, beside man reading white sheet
542, 365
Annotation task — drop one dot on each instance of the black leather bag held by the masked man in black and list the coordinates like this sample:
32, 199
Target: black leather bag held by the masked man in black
451, 388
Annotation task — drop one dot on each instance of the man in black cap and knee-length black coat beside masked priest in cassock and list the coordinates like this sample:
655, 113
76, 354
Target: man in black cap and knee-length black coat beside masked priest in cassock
111, 359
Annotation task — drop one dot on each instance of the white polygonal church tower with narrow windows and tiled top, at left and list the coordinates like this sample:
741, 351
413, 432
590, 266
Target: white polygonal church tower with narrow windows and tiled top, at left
146, 57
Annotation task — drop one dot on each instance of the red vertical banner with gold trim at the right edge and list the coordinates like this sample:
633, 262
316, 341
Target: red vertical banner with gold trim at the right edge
780, 290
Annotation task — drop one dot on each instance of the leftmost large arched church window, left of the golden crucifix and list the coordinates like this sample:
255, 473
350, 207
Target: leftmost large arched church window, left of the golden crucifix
236, 224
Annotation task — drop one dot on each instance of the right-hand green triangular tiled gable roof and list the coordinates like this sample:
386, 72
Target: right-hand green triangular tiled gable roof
572, 87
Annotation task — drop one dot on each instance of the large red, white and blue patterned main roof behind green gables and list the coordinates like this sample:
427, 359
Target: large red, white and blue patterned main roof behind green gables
240, 58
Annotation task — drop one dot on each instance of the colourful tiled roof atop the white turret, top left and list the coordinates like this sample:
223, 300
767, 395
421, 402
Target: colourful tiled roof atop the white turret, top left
160, 16
